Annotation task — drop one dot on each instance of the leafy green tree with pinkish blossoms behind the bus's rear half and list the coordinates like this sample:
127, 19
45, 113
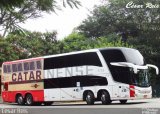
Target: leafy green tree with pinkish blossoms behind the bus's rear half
34, 44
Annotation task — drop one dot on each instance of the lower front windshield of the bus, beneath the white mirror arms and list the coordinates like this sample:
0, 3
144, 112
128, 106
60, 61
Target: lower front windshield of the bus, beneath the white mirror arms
141, 78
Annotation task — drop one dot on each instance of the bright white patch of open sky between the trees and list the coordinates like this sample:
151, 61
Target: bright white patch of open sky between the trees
64, 21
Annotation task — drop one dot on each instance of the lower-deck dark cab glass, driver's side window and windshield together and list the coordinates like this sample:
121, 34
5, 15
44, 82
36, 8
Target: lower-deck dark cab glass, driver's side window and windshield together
128, 76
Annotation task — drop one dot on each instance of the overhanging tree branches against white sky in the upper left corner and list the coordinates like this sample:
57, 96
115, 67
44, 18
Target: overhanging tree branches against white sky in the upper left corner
14, 12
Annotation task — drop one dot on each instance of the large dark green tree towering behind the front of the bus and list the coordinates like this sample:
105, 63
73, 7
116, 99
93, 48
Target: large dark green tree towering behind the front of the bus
138, 26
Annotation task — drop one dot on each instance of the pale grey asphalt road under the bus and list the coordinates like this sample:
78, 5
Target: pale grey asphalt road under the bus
147, 106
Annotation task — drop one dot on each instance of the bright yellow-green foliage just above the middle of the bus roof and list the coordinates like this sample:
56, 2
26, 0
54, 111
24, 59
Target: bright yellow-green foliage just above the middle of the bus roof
76, 42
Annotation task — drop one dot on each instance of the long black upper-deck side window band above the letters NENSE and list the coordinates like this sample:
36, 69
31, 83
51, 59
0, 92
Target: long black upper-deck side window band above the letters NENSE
73, 60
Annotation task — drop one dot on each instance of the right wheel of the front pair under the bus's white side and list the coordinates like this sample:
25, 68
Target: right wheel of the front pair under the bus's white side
105, 98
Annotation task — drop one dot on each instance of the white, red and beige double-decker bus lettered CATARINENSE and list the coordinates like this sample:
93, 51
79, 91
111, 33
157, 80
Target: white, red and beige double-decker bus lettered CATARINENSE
104, 75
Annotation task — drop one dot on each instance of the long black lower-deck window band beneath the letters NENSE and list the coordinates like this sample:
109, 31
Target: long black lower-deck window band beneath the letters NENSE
65, 82
